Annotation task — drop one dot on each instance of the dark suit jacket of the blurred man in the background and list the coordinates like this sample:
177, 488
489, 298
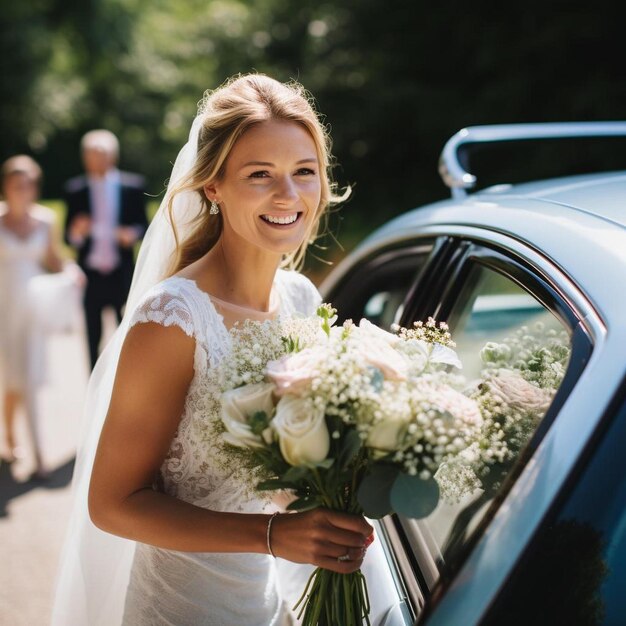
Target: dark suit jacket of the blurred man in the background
132, 213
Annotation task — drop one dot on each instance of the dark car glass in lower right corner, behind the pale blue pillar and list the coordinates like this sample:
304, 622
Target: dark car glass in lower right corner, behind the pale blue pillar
575, 570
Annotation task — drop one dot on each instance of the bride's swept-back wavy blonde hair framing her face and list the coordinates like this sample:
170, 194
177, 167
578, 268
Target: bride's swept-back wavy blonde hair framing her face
226, 114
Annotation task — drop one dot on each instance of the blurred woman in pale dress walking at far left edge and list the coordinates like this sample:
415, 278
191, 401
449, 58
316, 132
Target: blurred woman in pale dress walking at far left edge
29, 247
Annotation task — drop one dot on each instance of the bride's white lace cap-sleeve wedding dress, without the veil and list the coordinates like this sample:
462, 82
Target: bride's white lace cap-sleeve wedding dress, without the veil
194, 589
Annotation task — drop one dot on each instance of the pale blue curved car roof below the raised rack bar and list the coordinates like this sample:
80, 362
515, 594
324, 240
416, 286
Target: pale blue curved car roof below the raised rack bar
577, 222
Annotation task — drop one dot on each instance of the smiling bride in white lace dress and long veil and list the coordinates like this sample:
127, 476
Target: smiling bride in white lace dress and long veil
245, 197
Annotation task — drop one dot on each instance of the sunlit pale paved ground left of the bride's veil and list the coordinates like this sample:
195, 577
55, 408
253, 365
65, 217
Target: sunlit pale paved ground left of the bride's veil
33, 514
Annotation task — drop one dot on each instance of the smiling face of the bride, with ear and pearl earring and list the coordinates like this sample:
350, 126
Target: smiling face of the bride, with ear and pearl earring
271, 188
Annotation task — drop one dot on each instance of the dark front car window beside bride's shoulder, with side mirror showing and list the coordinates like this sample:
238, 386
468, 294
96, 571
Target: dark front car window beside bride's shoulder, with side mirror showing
377, 289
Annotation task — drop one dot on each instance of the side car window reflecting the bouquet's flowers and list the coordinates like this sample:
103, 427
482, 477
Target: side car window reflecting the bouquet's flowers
511, 347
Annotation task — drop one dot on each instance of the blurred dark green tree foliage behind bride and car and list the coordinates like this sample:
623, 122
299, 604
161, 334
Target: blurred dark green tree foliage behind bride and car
395, 80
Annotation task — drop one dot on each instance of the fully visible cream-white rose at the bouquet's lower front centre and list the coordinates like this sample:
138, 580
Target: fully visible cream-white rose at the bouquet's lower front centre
302, 433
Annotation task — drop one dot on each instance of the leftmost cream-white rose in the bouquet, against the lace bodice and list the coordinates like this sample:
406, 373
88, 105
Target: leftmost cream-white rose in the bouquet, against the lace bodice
238, 406
